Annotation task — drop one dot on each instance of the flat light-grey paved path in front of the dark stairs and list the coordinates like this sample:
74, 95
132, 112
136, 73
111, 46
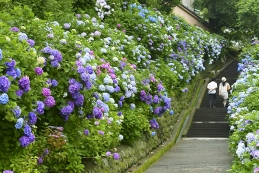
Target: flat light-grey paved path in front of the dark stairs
194, 155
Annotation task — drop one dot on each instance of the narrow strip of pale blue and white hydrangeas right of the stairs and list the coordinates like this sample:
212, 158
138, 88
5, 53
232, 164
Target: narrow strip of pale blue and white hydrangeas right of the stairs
243, 114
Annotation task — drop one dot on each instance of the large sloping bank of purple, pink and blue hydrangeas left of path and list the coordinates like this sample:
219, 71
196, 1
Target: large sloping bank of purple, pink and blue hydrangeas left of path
78, 88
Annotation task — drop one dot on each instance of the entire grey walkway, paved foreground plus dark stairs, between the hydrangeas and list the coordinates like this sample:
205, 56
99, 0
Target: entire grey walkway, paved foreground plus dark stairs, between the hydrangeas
204, 149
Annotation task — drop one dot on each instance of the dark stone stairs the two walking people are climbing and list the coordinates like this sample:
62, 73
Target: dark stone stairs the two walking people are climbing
212, 122
